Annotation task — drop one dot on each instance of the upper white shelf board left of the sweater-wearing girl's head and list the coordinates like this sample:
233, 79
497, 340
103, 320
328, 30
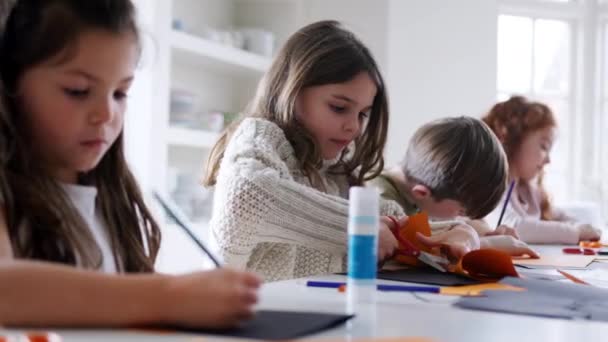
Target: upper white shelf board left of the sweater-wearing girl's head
199, 52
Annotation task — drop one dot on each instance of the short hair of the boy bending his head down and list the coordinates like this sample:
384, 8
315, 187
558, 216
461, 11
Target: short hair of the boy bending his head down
459, 159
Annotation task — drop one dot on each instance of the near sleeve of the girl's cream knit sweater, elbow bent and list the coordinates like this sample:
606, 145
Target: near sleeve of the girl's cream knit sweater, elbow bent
257, 200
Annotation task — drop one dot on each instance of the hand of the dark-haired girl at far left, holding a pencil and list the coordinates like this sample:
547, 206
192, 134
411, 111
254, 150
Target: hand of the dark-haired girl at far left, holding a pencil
214, 299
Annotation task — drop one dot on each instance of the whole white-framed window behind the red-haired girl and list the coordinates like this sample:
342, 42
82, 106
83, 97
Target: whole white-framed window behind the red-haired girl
556, 52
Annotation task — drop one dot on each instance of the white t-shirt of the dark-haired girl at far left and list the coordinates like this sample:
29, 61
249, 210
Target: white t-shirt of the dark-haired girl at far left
83, 198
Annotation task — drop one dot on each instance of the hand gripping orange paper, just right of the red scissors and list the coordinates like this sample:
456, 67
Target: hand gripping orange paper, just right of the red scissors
454, 243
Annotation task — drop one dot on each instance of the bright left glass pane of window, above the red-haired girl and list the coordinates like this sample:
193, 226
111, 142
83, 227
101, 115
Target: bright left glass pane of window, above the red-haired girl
534, 60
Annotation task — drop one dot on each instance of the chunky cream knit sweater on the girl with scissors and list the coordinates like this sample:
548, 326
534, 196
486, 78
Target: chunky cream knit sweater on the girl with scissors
268, 218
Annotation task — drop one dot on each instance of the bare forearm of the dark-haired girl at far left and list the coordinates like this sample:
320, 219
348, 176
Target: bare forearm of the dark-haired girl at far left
45, 294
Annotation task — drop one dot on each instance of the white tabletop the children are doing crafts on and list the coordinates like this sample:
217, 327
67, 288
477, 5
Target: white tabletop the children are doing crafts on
395, 314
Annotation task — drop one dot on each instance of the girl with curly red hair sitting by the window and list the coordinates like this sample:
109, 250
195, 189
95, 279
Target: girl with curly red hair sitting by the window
526, 130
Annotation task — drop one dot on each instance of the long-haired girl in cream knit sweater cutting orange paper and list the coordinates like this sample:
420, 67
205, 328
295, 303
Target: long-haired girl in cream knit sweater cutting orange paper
316, 127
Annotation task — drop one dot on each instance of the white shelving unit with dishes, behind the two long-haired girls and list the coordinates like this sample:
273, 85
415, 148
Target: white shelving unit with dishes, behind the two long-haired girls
222, 77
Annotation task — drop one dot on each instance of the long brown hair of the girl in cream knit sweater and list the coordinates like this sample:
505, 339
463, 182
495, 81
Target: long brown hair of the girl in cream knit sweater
320, 53
